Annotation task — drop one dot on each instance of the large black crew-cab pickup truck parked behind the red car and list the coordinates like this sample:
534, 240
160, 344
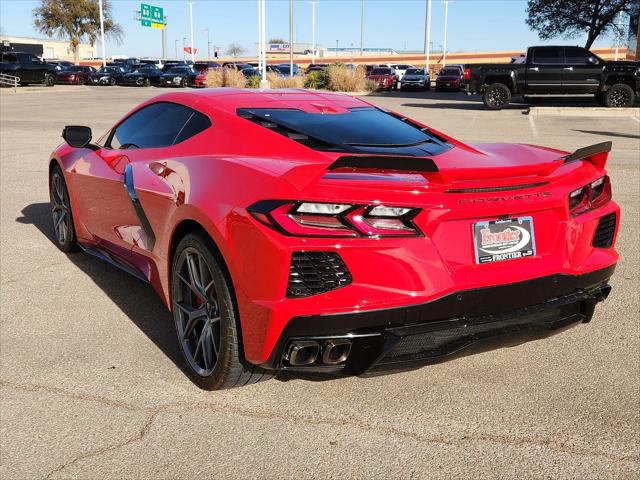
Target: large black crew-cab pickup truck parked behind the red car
555, 70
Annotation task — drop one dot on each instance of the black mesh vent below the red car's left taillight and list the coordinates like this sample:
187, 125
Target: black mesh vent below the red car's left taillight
312, 273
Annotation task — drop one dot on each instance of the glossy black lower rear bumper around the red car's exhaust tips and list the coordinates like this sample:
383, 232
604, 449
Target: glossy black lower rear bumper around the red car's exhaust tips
455, 325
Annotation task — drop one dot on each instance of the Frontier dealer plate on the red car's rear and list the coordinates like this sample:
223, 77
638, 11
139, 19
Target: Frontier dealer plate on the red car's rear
499, 240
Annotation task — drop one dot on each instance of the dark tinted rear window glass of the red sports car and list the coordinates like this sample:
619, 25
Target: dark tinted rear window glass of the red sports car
362, 129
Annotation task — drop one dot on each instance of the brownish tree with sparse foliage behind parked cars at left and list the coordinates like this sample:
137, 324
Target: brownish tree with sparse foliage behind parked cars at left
75, 20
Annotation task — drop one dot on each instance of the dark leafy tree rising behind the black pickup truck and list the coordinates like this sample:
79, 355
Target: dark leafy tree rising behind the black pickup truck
573, 18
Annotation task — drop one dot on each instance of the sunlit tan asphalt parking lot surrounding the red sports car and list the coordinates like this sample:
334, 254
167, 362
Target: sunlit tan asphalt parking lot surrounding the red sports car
91, 380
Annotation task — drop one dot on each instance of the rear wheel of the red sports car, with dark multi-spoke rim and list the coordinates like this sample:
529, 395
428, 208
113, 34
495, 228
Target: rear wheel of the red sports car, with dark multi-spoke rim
205, 318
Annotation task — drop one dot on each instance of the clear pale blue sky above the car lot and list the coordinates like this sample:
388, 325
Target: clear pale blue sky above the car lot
474, 25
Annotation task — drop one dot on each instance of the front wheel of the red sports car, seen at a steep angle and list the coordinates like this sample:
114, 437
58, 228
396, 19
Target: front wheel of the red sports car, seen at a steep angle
61, 212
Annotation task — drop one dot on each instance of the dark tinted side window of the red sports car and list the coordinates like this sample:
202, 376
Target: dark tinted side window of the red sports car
158, 125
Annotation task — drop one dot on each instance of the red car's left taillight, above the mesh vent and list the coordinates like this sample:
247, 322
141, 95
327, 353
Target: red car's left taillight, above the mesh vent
319, 219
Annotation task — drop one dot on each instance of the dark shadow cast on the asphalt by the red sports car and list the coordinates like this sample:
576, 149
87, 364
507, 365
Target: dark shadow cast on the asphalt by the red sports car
136, 299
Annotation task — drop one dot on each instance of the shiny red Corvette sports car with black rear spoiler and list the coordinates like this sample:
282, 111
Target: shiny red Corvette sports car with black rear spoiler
314, 231
